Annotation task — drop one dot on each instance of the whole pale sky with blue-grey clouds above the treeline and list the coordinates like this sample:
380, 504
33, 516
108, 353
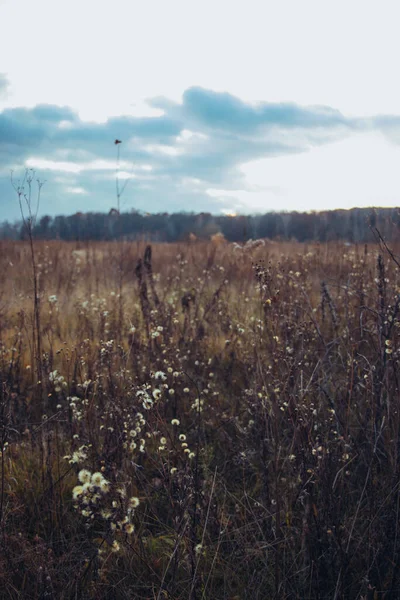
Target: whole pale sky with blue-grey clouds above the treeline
225, 107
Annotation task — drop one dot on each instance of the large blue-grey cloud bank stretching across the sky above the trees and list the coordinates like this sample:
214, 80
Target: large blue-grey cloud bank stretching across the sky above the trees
174, 158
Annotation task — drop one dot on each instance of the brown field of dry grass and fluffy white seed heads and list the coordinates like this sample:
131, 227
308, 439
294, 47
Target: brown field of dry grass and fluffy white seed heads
199, 421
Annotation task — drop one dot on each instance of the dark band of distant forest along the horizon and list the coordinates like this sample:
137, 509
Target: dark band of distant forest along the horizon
355, 225
